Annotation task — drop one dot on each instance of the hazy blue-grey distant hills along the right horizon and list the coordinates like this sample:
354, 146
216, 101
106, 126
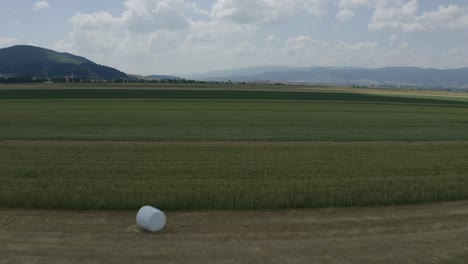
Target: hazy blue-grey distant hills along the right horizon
388, 76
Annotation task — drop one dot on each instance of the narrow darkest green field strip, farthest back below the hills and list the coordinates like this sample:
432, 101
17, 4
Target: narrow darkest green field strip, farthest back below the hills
213, 94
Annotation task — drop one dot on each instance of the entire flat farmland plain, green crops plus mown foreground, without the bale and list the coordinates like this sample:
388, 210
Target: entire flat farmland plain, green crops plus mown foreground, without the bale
262, 149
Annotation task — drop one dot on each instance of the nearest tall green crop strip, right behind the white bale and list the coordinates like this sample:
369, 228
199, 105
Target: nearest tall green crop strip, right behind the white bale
87, 175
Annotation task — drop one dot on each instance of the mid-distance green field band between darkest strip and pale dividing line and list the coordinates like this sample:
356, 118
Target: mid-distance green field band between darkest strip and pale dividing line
212, 120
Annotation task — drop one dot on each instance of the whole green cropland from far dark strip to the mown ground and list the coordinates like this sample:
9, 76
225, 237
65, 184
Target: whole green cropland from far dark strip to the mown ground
228, 146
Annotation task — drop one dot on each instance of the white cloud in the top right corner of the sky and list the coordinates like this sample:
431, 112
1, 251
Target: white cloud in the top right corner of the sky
398, 15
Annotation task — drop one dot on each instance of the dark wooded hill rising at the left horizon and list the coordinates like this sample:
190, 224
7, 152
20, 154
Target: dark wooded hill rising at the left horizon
38, 62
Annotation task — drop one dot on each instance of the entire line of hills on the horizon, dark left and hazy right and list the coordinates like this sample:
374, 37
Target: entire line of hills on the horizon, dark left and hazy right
30, 61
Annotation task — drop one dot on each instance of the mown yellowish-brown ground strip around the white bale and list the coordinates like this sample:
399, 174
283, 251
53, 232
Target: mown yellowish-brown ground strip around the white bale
431, 233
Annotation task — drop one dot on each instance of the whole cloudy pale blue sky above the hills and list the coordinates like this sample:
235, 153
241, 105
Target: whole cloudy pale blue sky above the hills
181, 37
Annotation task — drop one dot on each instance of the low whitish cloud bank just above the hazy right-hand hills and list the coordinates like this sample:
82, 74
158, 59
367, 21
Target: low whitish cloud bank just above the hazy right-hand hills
306, 51
